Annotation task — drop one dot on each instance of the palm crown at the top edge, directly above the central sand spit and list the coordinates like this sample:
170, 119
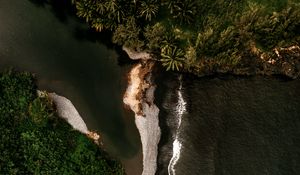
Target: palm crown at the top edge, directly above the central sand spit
149, 9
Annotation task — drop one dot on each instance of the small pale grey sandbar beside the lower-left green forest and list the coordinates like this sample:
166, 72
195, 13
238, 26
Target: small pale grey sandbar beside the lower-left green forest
67, 111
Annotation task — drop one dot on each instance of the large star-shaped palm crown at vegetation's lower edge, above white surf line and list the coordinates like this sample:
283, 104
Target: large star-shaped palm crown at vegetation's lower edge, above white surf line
172, 57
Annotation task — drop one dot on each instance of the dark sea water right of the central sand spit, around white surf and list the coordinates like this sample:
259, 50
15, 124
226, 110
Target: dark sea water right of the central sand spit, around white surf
232, 126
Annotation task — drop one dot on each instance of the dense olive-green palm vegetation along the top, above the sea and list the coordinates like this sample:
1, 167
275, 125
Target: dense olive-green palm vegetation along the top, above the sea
193, 35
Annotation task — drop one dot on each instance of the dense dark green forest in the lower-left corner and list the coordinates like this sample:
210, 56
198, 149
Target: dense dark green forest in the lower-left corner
33, 140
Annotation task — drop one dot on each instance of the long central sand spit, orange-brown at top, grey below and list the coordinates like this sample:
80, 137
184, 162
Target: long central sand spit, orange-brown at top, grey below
139, 97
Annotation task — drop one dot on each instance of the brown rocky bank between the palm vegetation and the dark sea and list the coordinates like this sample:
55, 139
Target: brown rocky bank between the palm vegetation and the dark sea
281, 61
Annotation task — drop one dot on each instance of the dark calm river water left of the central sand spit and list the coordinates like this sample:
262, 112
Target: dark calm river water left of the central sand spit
86, 71
